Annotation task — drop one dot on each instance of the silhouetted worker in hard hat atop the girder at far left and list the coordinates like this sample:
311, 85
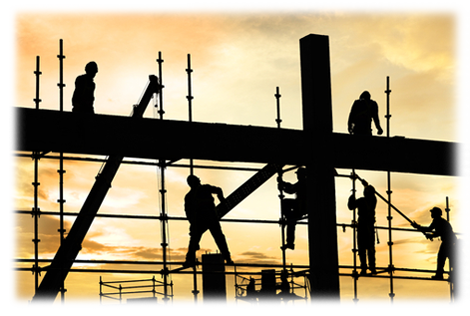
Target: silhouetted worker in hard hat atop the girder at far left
83, 96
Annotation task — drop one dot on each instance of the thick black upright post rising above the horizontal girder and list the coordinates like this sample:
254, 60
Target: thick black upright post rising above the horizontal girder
321, 204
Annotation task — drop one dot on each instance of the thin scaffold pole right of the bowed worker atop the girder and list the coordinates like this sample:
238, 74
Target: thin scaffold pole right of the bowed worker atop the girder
389, 194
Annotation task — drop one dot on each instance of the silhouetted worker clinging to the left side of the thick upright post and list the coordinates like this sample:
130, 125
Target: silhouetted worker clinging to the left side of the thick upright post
293, 209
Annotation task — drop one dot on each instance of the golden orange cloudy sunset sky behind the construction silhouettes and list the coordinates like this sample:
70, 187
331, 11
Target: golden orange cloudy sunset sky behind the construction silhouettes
240, 52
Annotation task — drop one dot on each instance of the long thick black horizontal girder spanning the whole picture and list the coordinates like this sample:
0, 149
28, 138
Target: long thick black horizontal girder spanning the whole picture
48, 130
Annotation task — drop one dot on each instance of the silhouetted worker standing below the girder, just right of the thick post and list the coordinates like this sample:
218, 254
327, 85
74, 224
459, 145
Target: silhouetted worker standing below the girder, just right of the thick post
365, 226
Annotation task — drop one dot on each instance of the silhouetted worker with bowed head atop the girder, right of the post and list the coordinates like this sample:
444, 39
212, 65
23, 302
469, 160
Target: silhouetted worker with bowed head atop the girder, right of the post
363, 112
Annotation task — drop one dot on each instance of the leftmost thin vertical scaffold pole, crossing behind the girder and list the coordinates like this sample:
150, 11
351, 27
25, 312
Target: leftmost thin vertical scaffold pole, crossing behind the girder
36, 212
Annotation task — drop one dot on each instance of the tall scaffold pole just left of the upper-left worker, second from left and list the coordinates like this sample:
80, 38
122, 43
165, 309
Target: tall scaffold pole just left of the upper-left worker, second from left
61, 170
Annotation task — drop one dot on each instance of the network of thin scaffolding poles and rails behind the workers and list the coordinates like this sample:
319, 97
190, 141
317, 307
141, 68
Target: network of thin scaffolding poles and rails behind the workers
162, 165
